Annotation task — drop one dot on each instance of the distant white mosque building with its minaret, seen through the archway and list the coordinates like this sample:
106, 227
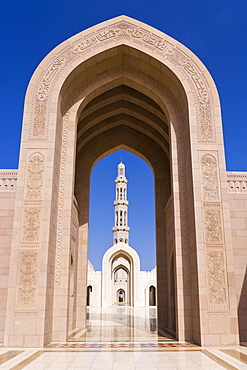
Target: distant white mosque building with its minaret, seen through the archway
121, 282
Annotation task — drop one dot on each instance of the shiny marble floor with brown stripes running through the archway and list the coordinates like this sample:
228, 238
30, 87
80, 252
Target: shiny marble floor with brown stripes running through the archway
123, 338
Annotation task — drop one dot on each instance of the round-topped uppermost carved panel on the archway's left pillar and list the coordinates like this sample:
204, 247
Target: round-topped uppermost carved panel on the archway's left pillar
35, 177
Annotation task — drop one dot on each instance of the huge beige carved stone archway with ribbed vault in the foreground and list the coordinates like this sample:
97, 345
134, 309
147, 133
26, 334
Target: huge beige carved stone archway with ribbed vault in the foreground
121, 84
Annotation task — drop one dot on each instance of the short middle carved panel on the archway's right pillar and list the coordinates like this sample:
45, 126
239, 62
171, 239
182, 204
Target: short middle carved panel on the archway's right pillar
213, 227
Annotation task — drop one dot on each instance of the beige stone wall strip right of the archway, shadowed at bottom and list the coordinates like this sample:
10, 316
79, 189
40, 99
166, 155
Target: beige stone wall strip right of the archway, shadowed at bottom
237, 182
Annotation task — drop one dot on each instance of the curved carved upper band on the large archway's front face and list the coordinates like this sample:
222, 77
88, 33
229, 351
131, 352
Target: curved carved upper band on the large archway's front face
124, 31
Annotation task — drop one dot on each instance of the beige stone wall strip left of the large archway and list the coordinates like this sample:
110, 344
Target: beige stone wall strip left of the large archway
7, 203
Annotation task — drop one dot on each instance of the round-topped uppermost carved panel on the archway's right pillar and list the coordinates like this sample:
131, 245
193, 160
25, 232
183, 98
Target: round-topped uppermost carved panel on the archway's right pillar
210, 183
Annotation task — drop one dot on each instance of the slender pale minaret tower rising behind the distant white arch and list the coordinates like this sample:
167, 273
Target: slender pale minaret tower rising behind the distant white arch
121, 229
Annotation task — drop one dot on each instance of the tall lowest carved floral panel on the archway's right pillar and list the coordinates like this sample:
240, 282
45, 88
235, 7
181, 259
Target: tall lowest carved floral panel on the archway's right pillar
217, 289
